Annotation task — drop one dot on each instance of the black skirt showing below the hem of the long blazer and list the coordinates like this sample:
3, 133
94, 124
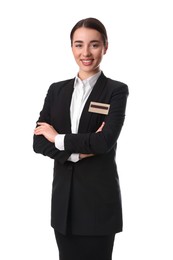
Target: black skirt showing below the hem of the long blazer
74, 247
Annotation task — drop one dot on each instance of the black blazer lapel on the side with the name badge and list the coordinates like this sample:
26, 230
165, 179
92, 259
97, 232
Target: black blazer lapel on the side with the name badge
94, 96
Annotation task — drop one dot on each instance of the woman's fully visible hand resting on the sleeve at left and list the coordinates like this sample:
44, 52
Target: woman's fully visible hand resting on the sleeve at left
47, 130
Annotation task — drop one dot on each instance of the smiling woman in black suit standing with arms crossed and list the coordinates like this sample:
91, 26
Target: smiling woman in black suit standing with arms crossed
78, 127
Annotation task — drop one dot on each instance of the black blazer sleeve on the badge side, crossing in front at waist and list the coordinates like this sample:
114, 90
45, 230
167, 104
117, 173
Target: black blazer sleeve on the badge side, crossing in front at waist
102, 142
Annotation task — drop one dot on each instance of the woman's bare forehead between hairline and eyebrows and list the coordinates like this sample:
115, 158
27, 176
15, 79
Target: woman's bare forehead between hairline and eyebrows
86, 34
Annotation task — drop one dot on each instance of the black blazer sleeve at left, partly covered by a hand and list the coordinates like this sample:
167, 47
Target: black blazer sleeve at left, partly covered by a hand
40, 143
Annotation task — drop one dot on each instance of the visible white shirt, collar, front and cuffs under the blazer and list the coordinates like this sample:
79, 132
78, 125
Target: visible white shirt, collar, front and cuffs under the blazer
82, 90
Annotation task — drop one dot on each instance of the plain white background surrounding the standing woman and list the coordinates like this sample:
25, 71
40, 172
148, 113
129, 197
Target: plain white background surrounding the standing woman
34, 52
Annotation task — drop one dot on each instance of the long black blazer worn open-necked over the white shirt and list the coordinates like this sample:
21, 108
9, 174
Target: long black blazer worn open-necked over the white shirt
88, 189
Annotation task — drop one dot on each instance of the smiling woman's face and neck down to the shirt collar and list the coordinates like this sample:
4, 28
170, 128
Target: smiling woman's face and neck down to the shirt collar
88, 50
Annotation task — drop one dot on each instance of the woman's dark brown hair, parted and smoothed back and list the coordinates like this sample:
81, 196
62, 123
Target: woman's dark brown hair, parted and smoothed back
91, 23
